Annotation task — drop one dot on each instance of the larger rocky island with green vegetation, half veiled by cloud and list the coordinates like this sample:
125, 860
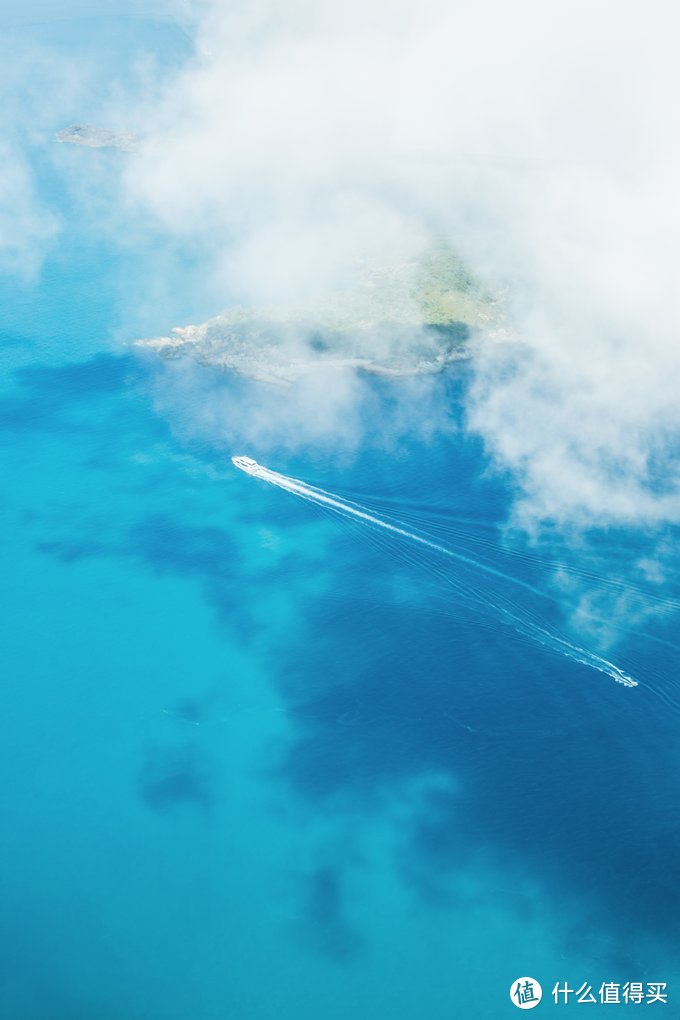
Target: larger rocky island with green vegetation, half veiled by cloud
404, 319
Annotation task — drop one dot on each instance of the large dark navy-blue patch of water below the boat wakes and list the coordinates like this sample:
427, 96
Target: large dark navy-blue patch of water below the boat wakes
558, 773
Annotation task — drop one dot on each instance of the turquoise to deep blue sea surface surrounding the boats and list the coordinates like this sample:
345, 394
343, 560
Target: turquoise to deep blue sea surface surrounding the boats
264, 760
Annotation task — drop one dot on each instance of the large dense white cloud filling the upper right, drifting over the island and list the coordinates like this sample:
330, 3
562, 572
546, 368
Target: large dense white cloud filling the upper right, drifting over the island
540, 139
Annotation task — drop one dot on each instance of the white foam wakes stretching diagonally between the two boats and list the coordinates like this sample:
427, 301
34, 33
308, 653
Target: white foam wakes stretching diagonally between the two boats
542, 635
